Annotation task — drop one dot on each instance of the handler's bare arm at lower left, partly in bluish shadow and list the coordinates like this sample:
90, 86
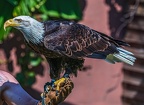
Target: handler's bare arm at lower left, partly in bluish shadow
12, 93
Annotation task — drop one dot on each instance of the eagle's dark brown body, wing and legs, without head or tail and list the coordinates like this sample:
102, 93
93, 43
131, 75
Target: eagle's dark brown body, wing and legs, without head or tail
65, 44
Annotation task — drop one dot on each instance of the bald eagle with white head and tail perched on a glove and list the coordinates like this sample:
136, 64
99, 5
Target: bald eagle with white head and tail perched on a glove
65, 44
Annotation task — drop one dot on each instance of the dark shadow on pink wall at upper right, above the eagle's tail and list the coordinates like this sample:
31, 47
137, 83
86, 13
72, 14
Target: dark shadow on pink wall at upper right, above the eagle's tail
116, 12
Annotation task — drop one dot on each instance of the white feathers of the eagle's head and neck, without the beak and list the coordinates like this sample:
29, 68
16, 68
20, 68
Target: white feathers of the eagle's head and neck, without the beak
32, 29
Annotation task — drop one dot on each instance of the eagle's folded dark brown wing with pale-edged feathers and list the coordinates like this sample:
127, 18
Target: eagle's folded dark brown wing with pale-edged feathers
77, 40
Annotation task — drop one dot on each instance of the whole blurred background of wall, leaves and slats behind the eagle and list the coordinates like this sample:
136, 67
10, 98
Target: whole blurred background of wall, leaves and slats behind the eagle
100, 83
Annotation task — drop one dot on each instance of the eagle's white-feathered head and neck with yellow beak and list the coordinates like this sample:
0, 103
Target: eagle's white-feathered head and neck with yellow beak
32, 29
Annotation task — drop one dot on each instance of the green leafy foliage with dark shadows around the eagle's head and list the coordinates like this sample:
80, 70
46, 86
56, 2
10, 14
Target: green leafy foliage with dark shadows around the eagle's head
39, 9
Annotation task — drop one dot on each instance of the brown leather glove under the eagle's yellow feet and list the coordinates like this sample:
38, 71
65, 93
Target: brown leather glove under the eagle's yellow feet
52, 97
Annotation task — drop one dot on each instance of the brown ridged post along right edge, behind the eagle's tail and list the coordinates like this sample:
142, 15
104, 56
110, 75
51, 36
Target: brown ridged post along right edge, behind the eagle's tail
133, 83
